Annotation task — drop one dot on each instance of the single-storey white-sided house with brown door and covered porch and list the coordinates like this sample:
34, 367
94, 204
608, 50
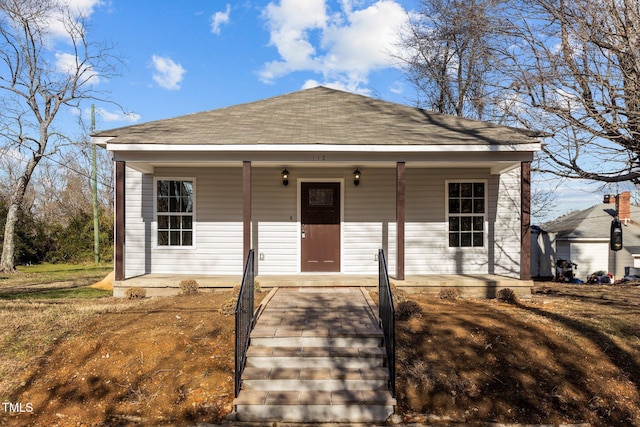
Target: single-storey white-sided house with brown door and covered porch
316, 181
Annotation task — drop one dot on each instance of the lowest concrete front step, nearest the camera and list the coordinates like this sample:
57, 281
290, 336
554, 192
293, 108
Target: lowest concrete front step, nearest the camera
315, 406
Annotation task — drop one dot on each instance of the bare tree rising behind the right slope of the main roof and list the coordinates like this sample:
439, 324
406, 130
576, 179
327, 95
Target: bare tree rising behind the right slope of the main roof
451, 57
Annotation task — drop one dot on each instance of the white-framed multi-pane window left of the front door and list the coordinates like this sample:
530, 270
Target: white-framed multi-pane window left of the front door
174, 209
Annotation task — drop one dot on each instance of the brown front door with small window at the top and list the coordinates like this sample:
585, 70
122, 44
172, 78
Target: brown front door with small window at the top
320, 231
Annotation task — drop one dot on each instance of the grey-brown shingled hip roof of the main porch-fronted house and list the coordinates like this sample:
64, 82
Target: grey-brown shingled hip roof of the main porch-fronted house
319, 116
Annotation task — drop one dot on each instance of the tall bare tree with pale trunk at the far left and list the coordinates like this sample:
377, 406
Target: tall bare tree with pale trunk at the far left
38, 84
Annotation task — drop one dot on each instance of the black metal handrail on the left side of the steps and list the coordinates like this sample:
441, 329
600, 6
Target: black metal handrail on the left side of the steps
244, 319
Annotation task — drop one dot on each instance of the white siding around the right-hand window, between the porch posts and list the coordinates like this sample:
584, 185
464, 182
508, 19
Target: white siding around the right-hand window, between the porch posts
427, 248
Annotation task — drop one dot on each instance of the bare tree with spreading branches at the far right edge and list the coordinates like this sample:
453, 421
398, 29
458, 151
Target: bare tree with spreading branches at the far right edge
575, 70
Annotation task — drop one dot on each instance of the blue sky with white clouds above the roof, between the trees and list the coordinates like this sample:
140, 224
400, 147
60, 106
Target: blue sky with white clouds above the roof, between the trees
189, 56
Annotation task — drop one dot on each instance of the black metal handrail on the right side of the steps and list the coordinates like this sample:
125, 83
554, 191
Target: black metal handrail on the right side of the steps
386, 313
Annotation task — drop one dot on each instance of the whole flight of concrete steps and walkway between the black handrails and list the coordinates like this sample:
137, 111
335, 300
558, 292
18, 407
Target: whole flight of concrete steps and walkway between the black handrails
316, 356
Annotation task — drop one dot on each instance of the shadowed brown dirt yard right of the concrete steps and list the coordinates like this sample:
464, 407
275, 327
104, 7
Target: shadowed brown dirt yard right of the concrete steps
570, 355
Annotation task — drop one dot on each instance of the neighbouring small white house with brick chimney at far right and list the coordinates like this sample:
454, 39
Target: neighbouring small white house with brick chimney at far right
584, 238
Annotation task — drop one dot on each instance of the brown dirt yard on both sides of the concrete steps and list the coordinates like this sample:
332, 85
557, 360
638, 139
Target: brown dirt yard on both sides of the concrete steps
569, 355
